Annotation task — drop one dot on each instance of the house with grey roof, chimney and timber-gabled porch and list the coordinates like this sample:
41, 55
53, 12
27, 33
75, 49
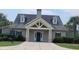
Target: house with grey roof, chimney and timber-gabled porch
36, 28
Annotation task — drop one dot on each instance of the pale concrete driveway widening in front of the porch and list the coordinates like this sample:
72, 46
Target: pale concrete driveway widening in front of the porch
34, 46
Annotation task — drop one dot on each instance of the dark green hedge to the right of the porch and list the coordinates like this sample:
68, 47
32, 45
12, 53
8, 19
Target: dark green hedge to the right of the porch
66, 40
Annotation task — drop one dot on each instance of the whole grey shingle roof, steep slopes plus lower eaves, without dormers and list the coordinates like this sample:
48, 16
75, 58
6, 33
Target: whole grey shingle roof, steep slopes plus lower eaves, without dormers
31, 17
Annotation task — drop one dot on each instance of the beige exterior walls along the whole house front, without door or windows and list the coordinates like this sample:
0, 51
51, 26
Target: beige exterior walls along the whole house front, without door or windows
32, 34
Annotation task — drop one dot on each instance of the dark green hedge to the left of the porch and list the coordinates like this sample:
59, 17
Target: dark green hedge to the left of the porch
7, 37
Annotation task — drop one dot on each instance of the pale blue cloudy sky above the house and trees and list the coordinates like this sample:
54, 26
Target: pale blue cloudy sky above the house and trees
64, 14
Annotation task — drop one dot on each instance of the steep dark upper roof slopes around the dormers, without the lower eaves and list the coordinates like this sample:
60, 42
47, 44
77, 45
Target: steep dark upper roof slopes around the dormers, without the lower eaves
30, 17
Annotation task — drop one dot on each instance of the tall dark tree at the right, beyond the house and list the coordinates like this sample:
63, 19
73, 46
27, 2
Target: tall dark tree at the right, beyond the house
71, 24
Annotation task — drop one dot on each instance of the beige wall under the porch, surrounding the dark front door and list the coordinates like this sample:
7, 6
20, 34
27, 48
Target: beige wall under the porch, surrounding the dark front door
32, 35
